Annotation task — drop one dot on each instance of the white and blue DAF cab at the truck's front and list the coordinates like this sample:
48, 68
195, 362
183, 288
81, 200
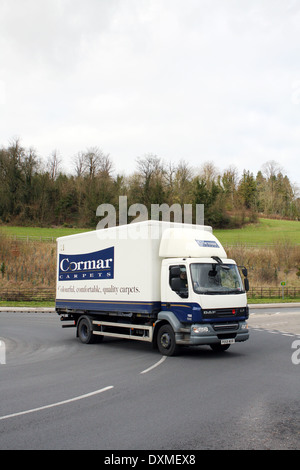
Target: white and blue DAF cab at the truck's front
204, 298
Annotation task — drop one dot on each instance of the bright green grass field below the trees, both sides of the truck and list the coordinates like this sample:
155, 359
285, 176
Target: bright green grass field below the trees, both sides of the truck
266, 231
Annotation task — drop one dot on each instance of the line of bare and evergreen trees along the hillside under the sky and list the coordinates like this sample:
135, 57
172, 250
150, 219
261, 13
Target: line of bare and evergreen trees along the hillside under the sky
33, 192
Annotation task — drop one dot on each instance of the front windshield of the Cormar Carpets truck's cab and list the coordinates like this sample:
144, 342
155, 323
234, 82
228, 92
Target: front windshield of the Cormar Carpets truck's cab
212, 278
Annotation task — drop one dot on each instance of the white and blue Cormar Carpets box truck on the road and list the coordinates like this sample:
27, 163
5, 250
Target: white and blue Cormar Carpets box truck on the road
166, 283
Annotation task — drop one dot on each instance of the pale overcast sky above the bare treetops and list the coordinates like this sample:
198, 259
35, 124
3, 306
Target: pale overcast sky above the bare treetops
193, 80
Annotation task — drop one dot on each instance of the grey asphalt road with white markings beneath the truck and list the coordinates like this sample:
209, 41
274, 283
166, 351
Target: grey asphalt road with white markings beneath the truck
57, 393
